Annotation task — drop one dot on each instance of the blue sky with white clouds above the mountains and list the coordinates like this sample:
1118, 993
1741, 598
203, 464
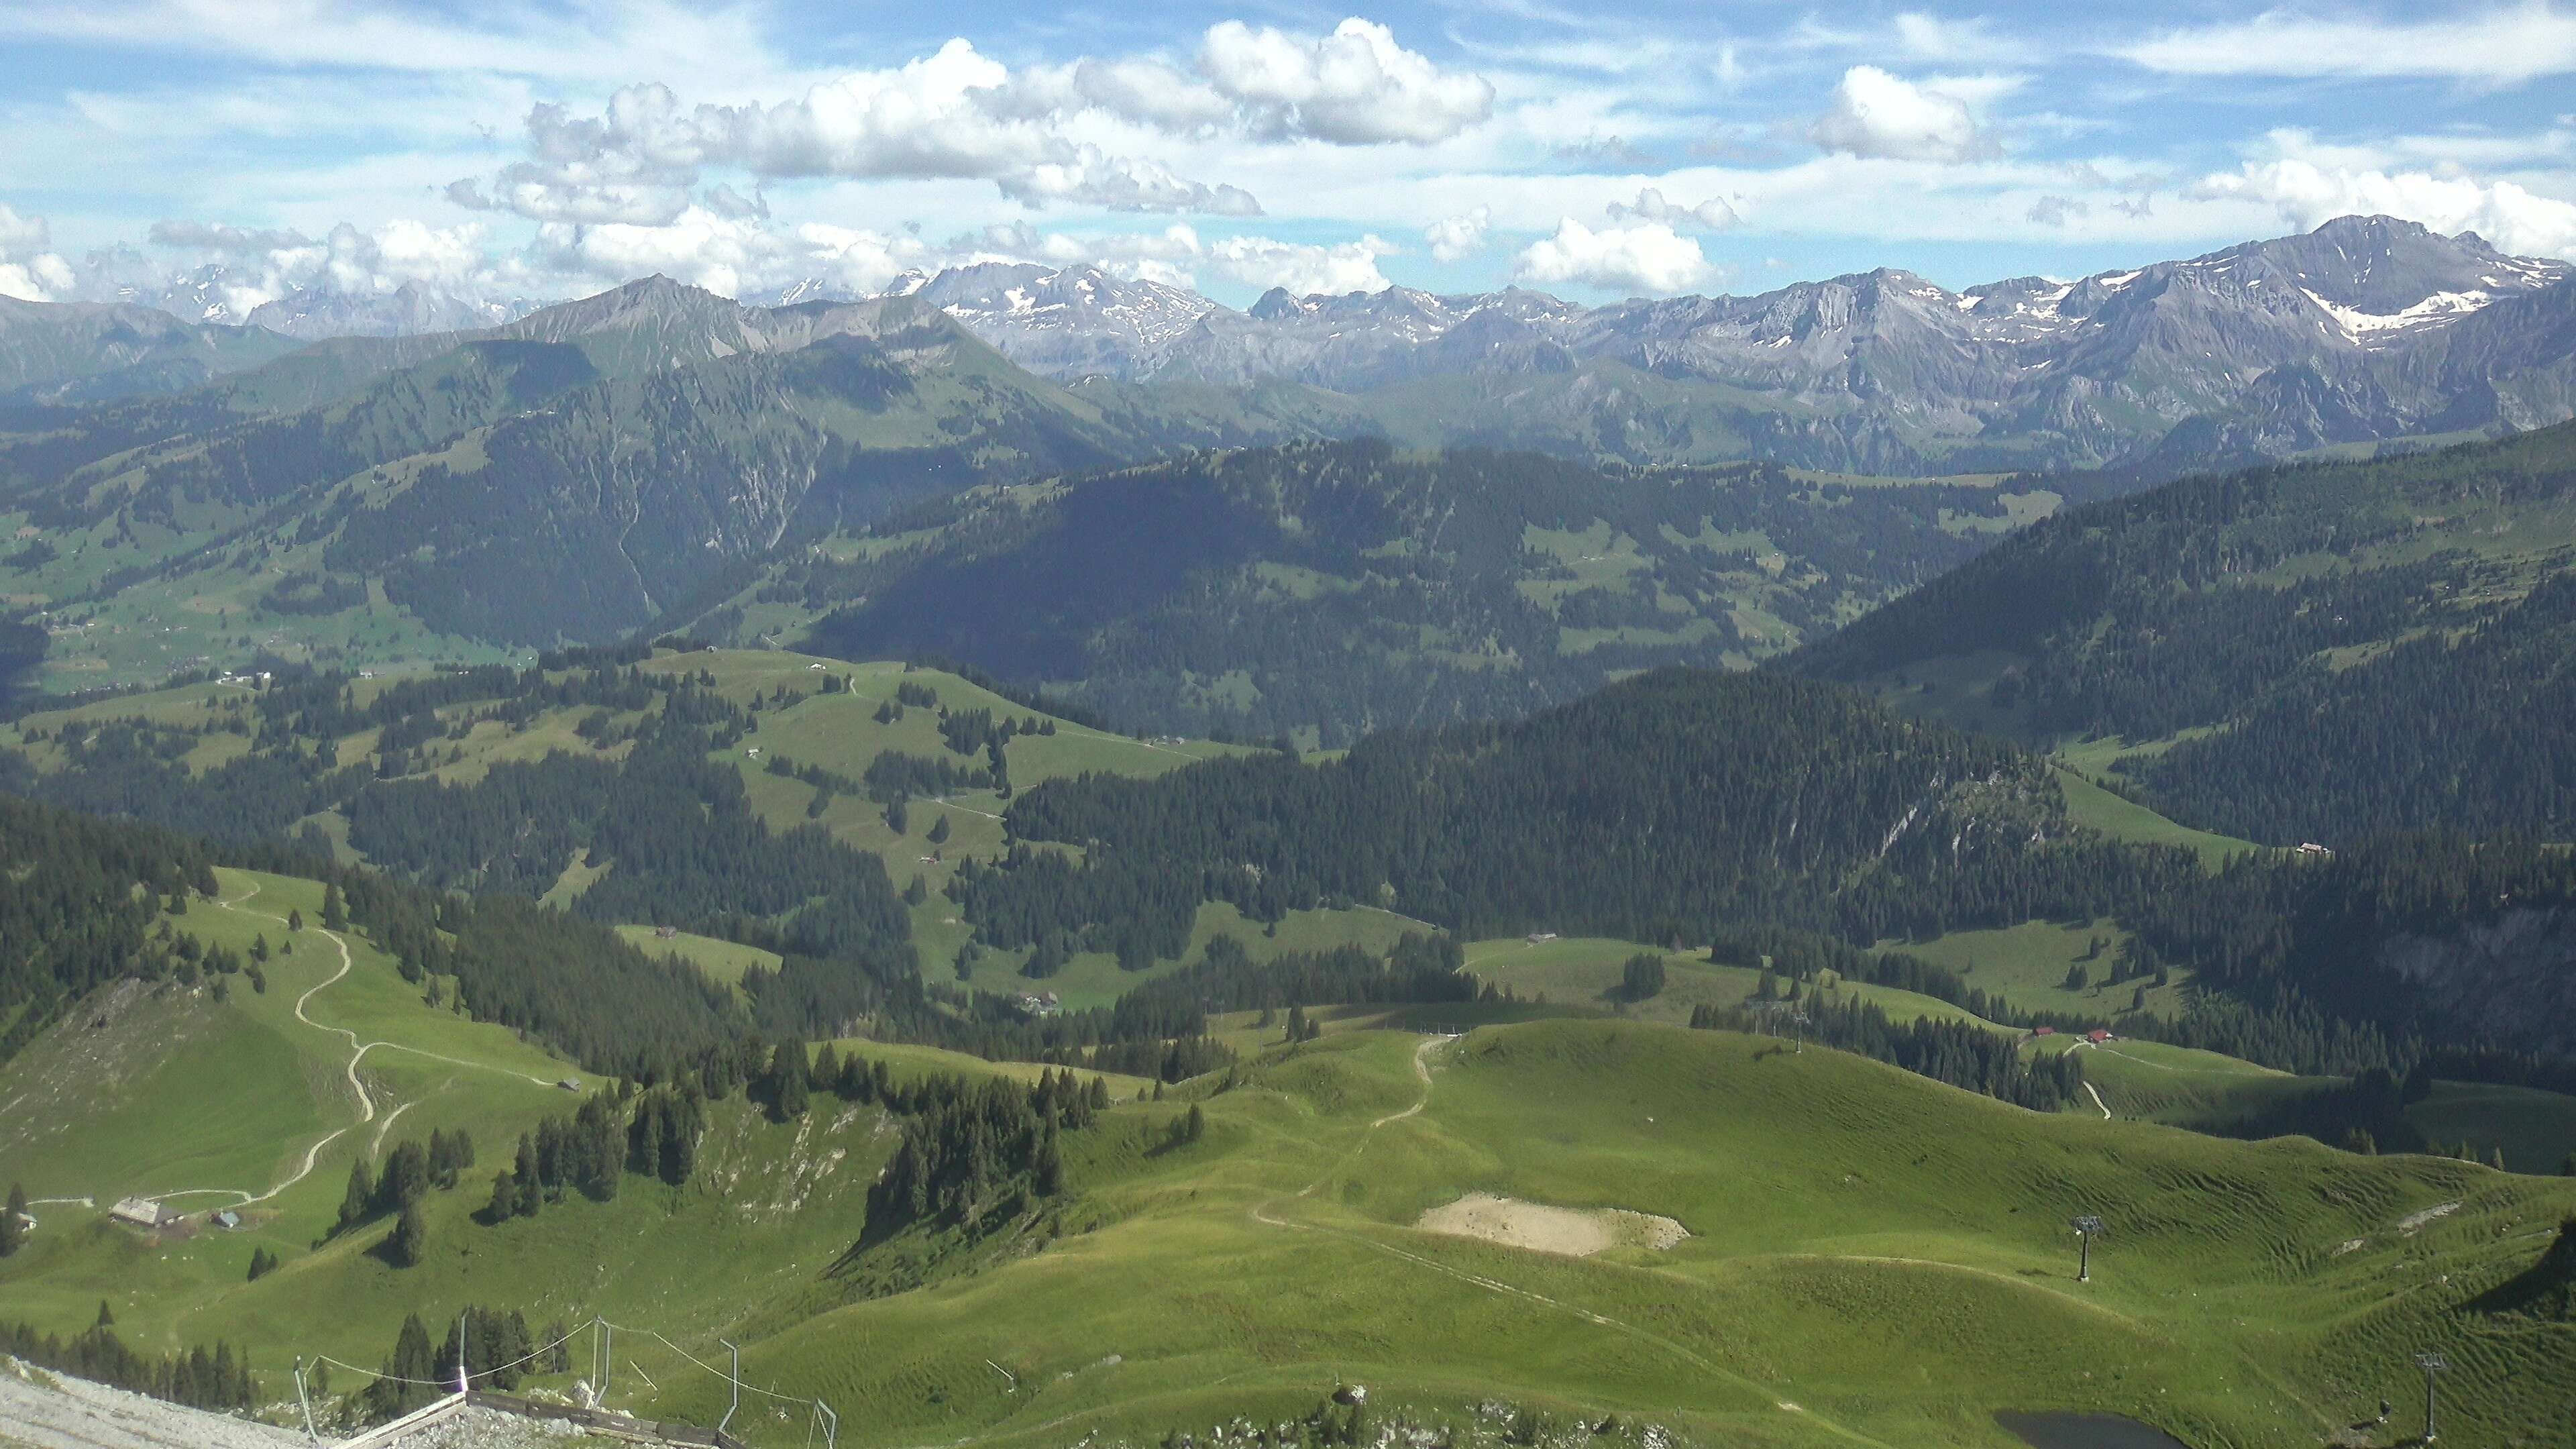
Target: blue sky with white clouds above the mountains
1591, 148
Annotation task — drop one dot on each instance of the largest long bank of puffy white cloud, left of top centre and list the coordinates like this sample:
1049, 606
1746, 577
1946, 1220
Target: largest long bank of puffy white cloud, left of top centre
960, 115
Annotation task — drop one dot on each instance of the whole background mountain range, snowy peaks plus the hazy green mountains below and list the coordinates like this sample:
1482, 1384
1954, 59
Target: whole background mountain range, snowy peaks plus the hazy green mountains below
1567, 491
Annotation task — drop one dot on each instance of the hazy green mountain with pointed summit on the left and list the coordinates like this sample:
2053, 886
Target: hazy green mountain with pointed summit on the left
573, 473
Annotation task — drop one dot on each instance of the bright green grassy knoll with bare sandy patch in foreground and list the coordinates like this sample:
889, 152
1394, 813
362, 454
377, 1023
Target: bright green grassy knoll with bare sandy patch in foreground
1874, 1259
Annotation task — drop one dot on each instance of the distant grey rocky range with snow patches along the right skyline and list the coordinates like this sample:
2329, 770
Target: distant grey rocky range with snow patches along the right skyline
2361, 331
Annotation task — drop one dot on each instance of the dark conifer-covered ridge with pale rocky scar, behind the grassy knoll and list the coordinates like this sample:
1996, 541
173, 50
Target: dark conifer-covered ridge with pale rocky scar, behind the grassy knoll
1694, 808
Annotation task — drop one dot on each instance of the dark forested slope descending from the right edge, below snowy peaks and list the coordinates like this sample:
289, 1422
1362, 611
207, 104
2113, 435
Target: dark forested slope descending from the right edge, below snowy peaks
2330, 651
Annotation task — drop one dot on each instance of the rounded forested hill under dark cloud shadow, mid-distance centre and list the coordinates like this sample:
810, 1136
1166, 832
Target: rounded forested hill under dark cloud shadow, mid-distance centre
1351, 587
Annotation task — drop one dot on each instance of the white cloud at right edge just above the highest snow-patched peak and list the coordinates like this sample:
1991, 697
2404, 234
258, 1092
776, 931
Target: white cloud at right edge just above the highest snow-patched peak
2304, 195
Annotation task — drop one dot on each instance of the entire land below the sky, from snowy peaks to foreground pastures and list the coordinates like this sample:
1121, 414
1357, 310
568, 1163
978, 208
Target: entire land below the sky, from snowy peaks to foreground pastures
1065, 865
